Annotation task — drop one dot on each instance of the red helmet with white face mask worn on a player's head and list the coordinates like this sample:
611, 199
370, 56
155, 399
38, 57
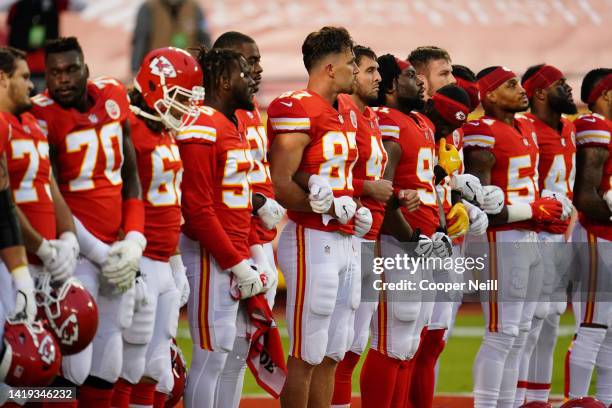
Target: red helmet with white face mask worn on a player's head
170, 79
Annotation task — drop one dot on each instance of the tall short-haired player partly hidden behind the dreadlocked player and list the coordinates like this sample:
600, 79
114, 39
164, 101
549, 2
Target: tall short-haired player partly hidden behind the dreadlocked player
263, 226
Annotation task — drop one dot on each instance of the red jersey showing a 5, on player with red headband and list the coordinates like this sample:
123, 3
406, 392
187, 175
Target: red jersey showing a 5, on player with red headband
516, 157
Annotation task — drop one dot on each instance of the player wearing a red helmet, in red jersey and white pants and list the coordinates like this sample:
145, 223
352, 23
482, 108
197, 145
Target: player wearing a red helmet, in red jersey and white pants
146, 343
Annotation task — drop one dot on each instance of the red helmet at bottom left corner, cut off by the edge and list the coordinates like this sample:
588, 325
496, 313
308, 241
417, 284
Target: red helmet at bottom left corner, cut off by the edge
31, 357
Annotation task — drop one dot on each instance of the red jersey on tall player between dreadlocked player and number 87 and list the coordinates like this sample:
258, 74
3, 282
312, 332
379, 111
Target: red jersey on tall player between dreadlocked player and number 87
250, 126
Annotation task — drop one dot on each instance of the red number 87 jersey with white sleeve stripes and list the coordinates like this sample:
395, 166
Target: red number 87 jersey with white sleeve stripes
332, 151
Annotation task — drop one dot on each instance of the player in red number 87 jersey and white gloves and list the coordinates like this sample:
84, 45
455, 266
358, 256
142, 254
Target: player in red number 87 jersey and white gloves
316, 251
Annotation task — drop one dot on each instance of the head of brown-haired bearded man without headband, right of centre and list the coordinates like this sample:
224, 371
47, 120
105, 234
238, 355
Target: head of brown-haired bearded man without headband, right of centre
433, 66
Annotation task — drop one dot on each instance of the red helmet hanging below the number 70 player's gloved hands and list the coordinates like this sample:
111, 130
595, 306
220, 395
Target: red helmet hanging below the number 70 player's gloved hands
69, 312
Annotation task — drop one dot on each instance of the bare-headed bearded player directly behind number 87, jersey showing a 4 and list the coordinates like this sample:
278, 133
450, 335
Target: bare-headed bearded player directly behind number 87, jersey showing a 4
374, 192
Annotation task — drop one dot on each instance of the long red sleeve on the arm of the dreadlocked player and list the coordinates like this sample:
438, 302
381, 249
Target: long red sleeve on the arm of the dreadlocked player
197, 188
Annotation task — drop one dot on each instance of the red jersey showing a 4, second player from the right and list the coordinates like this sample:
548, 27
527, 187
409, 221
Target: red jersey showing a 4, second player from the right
557, 162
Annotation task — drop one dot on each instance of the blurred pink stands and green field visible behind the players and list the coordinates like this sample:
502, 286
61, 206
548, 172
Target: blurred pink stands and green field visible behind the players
574, 35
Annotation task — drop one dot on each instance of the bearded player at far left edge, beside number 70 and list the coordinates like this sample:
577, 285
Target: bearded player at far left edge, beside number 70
42, 211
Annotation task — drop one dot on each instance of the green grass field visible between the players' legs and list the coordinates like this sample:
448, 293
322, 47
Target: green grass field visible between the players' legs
456, 360
